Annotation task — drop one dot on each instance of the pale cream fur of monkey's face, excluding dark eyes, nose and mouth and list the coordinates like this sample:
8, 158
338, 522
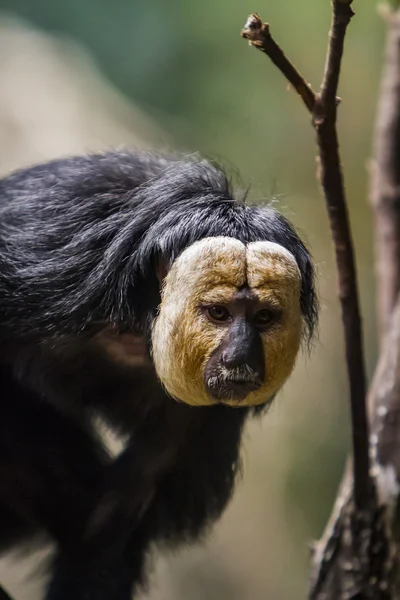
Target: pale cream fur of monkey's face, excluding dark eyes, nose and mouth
210, 272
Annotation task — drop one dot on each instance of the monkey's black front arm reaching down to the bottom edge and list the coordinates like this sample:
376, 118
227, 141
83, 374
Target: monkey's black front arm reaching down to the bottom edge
108, 560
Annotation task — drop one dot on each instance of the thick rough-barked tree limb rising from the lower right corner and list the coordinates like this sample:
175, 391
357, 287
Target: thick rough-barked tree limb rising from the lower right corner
358, 555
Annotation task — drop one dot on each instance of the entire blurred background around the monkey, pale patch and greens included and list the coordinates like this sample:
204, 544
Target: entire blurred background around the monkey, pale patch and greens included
78, 76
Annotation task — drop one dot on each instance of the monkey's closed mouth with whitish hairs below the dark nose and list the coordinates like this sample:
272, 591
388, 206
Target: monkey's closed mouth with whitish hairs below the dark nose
232, 386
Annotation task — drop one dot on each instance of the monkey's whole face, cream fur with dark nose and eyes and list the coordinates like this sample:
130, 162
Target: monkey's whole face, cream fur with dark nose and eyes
229, 325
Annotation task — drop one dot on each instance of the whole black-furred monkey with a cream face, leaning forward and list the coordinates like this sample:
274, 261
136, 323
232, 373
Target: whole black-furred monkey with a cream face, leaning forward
139, 289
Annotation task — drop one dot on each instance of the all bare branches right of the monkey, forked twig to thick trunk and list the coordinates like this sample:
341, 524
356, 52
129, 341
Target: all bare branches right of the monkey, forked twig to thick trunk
358, 556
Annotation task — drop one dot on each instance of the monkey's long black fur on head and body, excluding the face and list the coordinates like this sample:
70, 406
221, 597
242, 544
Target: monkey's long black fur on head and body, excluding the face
80, 240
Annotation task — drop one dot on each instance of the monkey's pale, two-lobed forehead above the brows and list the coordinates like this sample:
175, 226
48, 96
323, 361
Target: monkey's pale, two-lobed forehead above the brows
225, 260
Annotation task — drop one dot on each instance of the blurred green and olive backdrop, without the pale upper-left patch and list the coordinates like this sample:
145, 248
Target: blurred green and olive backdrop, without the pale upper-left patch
185, 65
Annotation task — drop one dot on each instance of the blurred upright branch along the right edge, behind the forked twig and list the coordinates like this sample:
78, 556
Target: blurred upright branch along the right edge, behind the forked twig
385, 177
